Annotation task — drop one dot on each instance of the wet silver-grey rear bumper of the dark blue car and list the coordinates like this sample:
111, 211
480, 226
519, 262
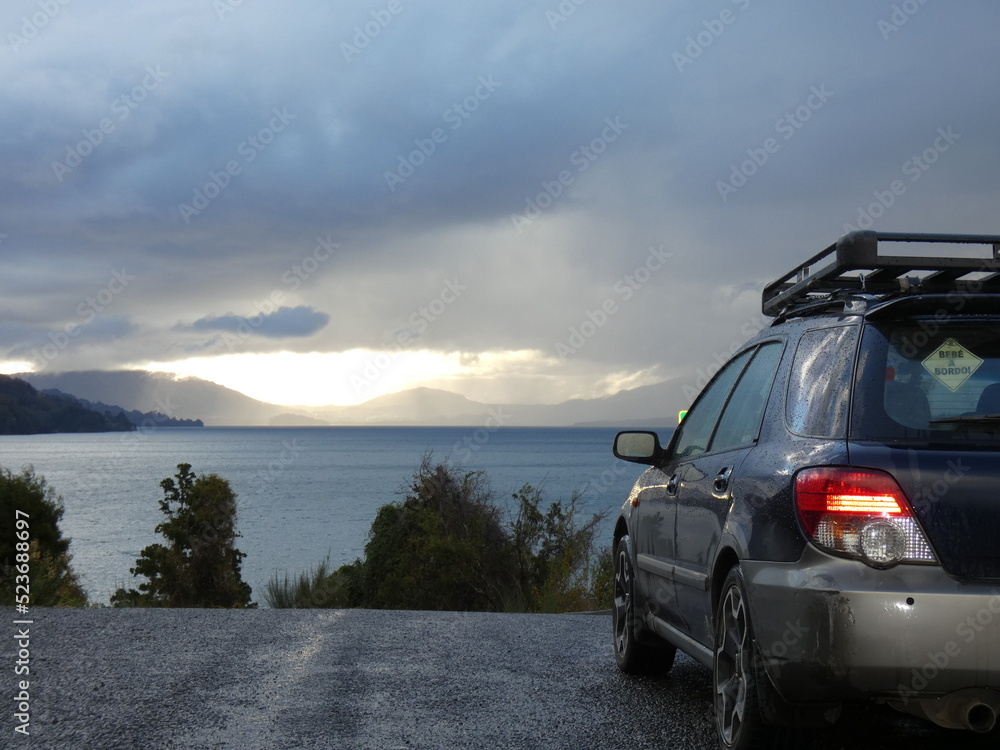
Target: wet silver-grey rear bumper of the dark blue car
830, 629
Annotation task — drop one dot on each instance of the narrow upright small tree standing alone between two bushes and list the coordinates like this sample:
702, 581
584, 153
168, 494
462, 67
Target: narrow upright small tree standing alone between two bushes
199, 566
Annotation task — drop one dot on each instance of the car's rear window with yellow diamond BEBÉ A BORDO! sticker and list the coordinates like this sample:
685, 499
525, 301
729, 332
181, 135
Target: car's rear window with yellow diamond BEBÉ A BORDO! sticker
924, 379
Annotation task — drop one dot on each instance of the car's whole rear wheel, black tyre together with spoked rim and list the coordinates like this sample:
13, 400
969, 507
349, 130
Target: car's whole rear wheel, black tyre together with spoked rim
735, 679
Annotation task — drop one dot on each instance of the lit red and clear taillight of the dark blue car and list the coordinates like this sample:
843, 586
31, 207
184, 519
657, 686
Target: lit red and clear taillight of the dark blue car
860, 513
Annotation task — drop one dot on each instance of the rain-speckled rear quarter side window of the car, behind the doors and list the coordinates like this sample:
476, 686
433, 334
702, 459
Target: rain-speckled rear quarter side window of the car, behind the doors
819, 385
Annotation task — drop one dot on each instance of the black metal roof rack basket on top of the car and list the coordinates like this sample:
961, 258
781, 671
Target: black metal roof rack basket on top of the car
832, 275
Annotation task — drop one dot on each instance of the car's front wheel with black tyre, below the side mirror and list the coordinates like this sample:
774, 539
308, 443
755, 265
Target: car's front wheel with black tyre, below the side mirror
632, 656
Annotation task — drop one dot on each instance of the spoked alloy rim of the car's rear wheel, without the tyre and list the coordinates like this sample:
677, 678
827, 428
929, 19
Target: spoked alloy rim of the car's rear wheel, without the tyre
731, 666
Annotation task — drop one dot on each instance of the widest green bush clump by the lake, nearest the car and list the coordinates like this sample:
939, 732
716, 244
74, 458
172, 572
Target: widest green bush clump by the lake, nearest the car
446, 546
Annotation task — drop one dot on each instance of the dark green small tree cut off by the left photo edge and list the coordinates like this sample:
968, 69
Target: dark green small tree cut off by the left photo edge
52, 581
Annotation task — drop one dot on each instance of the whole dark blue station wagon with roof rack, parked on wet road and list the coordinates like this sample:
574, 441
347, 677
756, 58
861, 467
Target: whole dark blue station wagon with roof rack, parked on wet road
824, 524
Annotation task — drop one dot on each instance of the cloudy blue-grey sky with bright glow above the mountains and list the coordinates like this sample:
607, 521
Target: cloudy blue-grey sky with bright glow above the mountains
318, 202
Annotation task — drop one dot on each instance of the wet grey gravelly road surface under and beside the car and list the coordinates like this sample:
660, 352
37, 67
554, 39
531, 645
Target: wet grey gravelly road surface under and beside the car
105, 678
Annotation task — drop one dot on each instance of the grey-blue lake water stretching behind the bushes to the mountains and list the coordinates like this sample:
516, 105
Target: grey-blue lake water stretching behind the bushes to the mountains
304, 493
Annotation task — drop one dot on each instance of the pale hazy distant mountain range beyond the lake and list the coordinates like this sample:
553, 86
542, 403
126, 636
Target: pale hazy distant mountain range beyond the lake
653, 406
